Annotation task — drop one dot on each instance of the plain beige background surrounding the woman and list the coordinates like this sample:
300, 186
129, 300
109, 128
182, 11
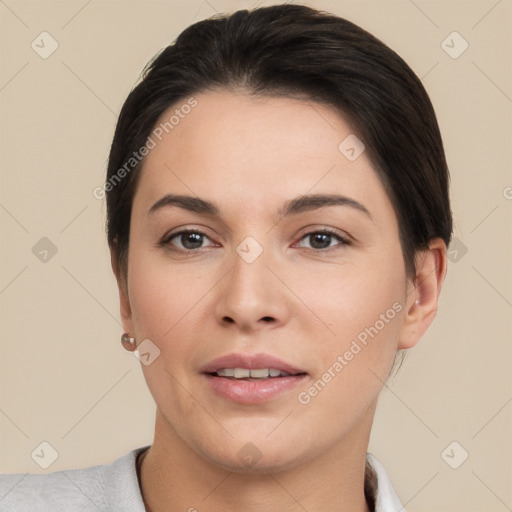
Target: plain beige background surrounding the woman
65, 378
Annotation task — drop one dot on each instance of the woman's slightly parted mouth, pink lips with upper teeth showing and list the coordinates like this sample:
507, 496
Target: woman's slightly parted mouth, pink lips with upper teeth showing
251, 379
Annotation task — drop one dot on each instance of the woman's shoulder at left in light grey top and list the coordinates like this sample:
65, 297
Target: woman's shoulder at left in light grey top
95, 488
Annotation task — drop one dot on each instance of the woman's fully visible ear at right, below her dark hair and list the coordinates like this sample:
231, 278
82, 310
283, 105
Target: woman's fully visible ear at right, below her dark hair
423, 293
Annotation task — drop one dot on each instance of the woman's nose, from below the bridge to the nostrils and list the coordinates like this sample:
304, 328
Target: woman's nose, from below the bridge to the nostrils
251, 297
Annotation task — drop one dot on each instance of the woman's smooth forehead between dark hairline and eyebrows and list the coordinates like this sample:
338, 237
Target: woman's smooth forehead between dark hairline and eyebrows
250, 151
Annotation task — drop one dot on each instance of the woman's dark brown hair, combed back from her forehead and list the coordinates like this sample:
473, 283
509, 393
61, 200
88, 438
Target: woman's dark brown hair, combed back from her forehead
296, 51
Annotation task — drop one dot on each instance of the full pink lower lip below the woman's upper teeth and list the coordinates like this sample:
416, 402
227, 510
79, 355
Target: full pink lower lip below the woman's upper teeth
252, 392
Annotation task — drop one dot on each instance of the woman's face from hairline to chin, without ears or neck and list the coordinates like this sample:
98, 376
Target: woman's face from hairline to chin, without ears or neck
264, 272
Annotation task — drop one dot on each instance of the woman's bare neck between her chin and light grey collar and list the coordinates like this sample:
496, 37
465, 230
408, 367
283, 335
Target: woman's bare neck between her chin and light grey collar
174, 478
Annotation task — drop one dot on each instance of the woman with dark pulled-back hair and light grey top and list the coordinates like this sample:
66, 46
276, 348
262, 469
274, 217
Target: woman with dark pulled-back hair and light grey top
278, 217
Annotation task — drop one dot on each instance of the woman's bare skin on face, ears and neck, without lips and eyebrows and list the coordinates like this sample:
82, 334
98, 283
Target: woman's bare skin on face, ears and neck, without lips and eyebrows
296, 301
